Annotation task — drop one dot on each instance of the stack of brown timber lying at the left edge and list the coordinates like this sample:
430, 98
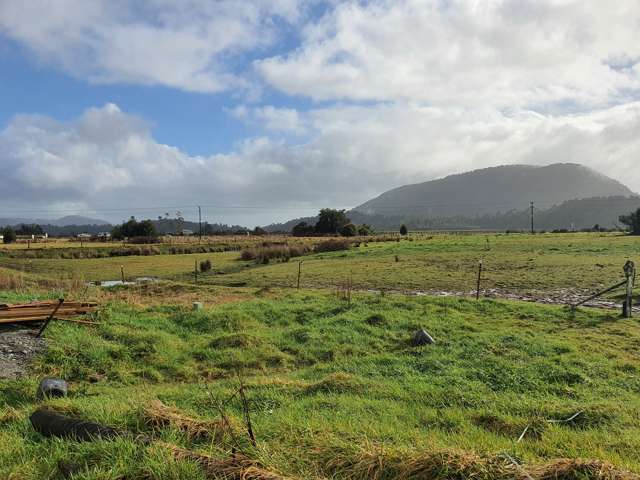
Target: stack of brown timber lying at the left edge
41, 311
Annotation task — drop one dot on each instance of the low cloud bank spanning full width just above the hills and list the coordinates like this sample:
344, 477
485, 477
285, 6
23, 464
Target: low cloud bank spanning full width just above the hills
108, 158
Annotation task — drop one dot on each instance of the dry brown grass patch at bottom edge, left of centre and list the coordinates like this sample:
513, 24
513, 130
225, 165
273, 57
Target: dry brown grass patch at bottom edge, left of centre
236, 467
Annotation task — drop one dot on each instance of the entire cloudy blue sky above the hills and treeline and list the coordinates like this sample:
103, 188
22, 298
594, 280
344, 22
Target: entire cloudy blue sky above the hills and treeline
266, 110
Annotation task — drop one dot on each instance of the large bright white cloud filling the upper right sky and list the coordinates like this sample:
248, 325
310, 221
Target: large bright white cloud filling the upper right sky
500, 53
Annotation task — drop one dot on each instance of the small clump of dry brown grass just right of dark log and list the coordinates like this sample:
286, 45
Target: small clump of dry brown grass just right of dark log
159, 415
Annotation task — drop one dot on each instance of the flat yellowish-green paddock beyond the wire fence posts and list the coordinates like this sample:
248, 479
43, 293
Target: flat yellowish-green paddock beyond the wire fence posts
512, 263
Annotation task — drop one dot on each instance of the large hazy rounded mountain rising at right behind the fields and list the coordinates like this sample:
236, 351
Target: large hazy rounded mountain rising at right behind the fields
493, 190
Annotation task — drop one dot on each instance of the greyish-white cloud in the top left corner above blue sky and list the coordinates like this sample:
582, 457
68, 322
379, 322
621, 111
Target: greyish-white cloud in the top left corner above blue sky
183, 44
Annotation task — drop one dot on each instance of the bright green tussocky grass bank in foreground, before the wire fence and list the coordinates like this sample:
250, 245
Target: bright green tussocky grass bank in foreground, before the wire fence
331, 384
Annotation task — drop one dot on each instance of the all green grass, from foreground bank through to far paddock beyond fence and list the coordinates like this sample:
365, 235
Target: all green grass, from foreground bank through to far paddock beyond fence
336, 389
